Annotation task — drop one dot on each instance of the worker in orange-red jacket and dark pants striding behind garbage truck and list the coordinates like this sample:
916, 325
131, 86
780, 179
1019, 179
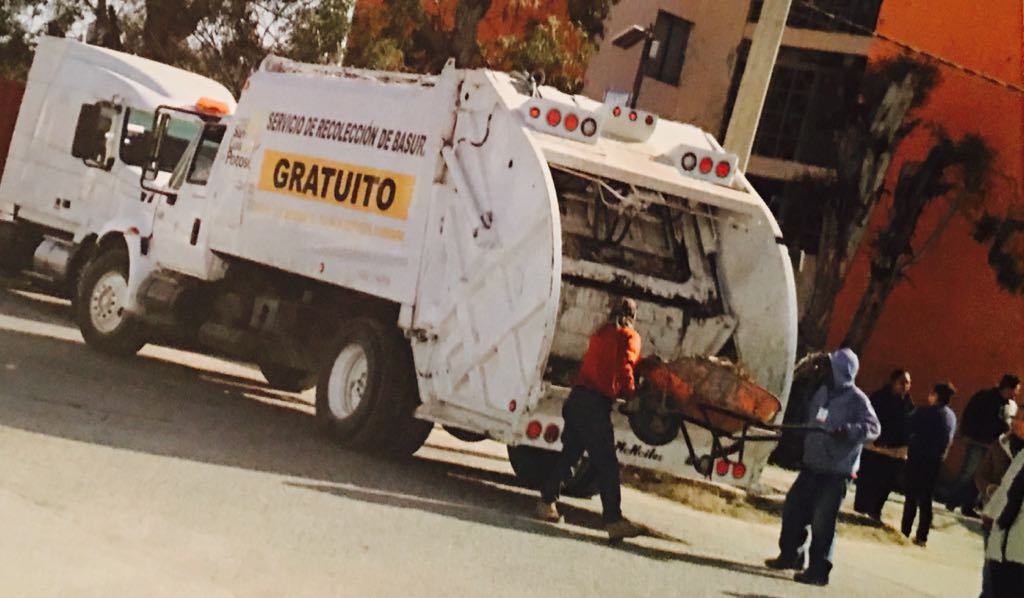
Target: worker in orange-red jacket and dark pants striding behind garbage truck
607, 374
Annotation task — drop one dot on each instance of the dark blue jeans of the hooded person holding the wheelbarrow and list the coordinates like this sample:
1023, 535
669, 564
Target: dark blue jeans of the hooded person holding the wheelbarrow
813, 502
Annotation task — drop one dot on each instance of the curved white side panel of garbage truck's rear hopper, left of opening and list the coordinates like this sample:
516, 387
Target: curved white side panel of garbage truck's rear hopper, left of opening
490, 283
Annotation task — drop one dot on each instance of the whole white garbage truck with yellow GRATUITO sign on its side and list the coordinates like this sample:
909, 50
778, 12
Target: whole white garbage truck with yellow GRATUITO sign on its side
437, 249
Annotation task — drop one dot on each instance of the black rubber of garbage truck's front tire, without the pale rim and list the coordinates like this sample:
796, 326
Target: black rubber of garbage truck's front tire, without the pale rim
127, 338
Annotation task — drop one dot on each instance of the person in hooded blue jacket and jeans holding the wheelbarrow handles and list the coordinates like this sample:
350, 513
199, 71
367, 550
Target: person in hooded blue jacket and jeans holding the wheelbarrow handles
831, 458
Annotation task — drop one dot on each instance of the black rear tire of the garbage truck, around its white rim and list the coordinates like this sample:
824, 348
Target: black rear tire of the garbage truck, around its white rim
383, 422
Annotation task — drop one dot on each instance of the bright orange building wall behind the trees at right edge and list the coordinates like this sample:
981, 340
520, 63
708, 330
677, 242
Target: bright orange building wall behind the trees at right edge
951, 320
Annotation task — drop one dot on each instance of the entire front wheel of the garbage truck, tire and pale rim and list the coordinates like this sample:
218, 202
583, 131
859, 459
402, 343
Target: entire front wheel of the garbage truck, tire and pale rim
100, 307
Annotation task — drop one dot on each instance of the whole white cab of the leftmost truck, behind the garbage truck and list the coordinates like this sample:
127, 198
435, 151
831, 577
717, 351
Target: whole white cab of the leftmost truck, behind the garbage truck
83, 131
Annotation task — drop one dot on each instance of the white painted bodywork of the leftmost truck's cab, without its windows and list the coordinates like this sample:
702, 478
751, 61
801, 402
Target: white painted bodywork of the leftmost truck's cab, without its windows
47, 184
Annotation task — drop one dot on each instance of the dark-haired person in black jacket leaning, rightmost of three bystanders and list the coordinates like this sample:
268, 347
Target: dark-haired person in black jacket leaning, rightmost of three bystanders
985, 419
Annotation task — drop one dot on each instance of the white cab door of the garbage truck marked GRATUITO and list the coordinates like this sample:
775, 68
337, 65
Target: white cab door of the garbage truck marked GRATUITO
179, 237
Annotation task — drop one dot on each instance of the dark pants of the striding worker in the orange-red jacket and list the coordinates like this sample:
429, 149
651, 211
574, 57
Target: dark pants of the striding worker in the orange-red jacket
588, 428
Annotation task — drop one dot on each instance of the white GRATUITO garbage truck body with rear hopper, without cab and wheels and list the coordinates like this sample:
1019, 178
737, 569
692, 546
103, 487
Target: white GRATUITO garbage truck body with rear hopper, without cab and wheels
434, 193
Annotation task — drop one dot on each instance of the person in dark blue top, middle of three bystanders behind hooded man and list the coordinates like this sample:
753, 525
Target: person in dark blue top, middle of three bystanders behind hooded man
931, 433
